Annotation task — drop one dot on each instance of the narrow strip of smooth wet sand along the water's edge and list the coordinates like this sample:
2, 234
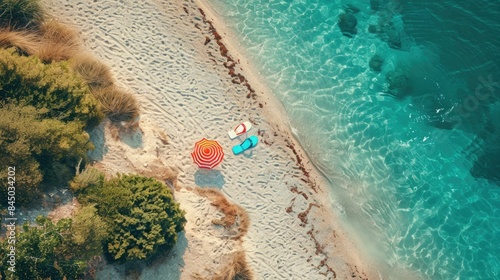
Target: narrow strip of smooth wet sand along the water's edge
351, 253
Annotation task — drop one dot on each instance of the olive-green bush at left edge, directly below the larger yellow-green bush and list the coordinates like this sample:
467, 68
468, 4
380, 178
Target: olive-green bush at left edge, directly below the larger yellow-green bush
32, 144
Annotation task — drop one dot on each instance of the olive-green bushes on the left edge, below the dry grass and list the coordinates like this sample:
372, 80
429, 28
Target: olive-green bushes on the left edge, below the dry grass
45, 109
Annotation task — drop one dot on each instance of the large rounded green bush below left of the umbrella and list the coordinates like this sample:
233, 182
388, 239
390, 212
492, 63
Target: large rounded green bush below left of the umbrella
143, 216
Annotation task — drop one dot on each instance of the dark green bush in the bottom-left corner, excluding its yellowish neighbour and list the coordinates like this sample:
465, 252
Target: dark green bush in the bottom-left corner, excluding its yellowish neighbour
38, 252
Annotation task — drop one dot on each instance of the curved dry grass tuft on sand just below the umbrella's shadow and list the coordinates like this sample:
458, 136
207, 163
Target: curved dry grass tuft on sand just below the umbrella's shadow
233, 214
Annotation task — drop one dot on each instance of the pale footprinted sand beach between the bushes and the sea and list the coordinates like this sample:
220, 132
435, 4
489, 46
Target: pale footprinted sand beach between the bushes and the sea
157, 49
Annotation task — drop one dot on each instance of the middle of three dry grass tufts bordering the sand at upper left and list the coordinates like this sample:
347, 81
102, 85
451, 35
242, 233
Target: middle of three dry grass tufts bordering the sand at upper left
94, 72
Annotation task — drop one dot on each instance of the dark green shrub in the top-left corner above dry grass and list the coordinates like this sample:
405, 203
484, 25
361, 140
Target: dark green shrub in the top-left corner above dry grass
21, 13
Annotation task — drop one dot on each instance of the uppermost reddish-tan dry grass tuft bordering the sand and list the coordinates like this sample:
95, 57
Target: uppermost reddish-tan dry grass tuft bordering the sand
59, 42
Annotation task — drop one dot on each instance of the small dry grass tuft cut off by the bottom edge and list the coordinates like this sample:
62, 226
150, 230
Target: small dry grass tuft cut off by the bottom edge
237, 269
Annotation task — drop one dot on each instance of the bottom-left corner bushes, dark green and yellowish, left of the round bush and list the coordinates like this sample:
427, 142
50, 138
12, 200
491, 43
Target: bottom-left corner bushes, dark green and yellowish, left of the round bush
57, 250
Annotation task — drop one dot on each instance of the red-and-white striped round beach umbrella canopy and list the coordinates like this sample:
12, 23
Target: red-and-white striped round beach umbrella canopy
207, 153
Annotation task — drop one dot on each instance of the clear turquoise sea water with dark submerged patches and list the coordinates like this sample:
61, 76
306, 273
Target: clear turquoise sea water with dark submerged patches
412, 152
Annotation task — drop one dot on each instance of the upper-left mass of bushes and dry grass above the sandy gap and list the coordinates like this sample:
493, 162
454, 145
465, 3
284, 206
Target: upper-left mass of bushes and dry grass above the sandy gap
51, 93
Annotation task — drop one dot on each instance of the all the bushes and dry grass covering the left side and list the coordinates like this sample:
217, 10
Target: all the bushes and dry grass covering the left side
51, 94
